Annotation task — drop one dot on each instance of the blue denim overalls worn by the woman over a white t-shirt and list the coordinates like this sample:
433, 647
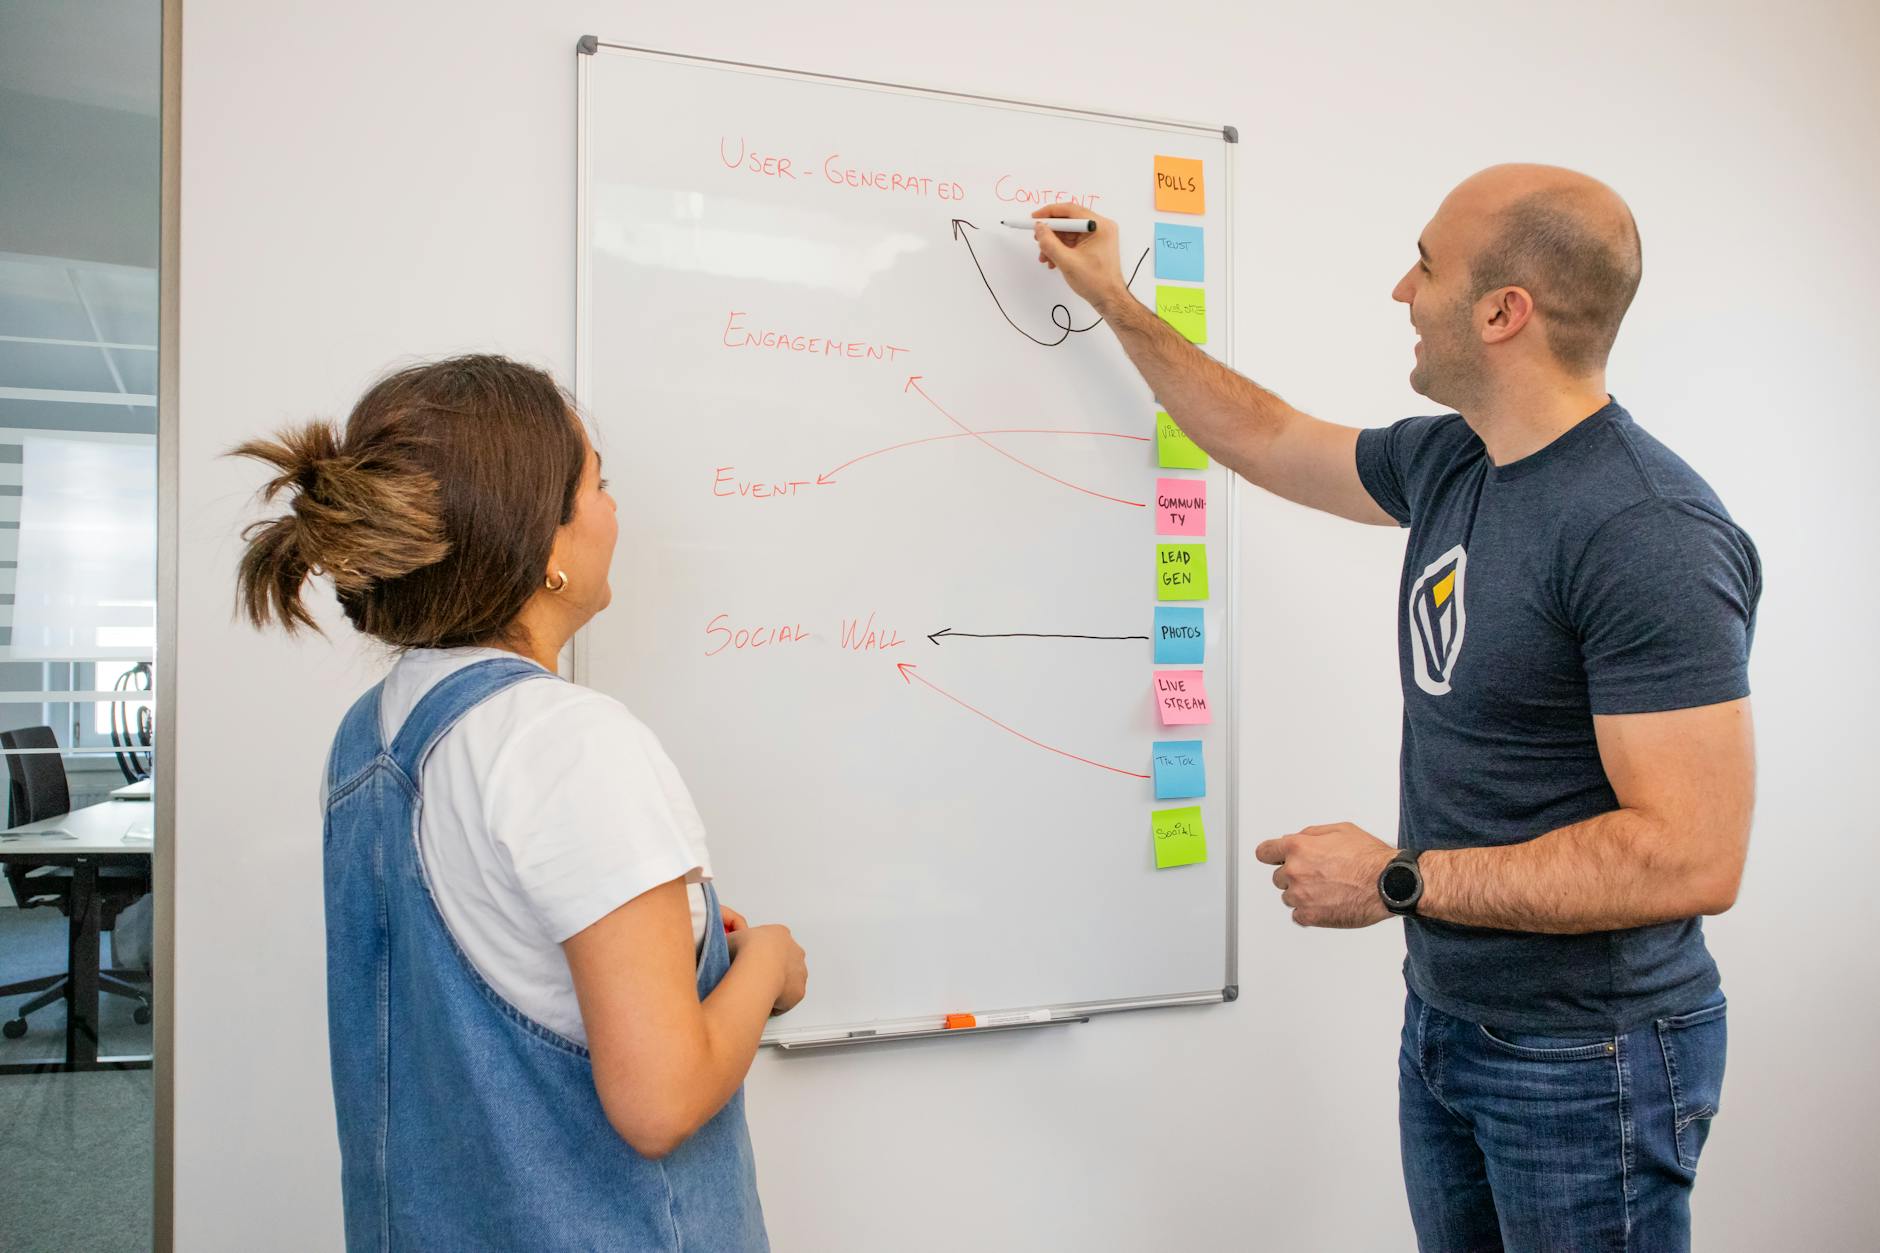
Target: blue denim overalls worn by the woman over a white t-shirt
463, 1124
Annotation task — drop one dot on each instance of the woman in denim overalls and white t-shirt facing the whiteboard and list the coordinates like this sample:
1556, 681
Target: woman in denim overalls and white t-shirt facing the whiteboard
540, 1021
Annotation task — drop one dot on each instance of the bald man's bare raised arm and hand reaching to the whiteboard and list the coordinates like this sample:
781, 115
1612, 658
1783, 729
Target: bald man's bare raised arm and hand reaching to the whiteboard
1244, 426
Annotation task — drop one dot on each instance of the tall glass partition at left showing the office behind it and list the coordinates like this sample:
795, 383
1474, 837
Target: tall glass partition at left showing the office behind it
80, 157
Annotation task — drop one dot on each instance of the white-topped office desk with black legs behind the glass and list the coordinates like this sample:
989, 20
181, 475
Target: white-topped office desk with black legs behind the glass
110, 834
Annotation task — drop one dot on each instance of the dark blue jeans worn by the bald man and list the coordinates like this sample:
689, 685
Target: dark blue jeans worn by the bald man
1529, 1143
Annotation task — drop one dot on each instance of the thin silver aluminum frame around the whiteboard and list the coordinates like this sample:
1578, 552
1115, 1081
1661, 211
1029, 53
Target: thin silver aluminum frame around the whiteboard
1057, 1015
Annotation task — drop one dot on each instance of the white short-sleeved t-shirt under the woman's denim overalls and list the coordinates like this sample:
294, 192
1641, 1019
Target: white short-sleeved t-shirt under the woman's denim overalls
546, 808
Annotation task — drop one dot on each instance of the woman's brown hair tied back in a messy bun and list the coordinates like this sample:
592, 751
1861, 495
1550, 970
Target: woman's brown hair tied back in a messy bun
433, 513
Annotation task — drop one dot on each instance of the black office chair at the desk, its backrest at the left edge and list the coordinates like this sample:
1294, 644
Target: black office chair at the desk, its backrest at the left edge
39, 791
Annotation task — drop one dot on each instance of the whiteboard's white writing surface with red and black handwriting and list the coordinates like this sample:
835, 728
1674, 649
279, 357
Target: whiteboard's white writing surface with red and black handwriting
888, 558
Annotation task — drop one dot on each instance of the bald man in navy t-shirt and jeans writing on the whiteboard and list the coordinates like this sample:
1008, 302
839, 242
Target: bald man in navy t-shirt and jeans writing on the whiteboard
1576, 784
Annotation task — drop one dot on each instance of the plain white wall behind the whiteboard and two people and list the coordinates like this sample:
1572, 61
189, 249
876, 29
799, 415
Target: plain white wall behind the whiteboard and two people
368, 182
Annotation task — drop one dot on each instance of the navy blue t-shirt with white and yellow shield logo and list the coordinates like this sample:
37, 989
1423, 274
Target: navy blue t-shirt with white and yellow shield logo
1599, 575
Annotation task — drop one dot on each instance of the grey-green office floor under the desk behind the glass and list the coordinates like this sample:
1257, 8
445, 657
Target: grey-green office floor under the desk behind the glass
74, 1149
